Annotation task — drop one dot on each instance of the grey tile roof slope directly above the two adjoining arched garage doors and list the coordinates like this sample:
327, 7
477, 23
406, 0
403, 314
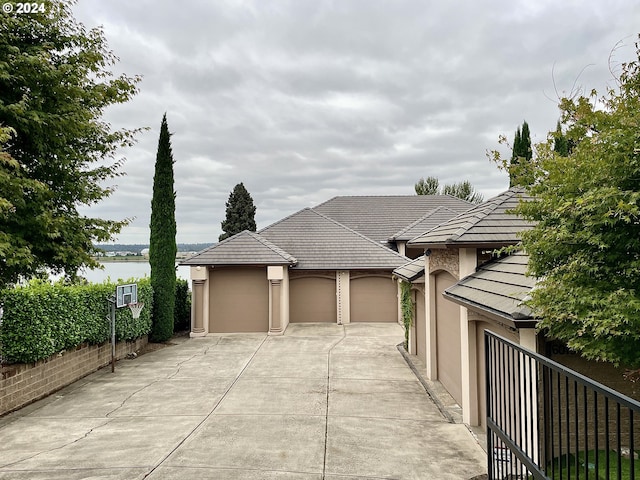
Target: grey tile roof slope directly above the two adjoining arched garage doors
319, 242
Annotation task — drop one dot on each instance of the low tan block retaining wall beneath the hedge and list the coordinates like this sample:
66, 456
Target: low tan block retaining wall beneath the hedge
21, 384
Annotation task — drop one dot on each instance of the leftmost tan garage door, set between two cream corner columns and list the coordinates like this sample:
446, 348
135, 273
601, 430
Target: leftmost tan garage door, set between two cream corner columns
238, 300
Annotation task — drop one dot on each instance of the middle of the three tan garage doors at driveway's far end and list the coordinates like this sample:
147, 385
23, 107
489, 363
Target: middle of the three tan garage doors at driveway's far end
312, 299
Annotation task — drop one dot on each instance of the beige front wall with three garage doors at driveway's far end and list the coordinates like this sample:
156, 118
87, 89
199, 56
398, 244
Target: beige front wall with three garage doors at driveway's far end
267, 298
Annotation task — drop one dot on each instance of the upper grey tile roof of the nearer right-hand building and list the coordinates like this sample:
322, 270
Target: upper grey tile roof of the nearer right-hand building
487, 223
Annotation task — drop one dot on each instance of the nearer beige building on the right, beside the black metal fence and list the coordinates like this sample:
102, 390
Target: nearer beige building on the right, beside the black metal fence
448, 336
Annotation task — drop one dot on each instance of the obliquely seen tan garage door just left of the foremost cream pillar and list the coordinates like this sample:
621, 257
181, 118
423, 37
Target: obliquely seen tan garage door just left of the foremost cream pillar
448, 338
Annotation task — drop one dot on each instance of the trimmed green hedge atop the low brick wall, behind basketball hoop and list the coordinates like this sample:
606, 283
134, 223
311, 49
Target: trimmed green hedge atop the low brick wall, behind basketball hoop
41, 319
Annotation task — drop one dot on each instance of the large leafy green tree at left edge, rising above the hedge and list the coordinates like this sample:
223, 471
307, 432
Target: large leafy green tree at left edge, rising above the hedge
54, 86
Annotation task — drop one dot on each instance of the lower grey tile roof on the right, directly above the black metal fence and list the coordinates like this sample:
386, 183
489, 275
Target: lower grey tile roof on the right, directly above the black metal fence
497, 288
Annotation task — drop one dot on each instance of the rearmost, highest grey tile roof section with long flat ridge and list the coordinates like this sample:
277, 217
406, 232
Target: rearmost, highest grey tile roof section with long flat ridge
380, 217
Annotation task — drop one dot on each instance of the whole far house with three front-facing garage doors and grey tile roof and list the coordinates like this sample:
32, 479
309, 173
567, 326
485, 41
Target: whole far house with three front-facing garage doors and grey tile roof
329, 263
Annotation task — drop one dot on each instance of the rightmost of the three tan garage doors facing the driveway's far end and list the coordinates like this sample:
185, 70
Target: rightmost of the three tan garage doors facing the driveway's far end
373, 299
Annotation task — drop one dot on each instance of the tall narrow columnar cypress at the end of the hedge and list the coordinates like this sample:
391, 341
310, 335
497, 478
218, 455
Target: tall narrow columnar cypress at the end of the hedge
162, 244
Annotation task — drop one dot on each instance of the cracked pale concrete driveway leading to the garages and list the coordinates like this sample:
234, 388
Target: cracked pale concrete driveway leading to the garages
322, 401
